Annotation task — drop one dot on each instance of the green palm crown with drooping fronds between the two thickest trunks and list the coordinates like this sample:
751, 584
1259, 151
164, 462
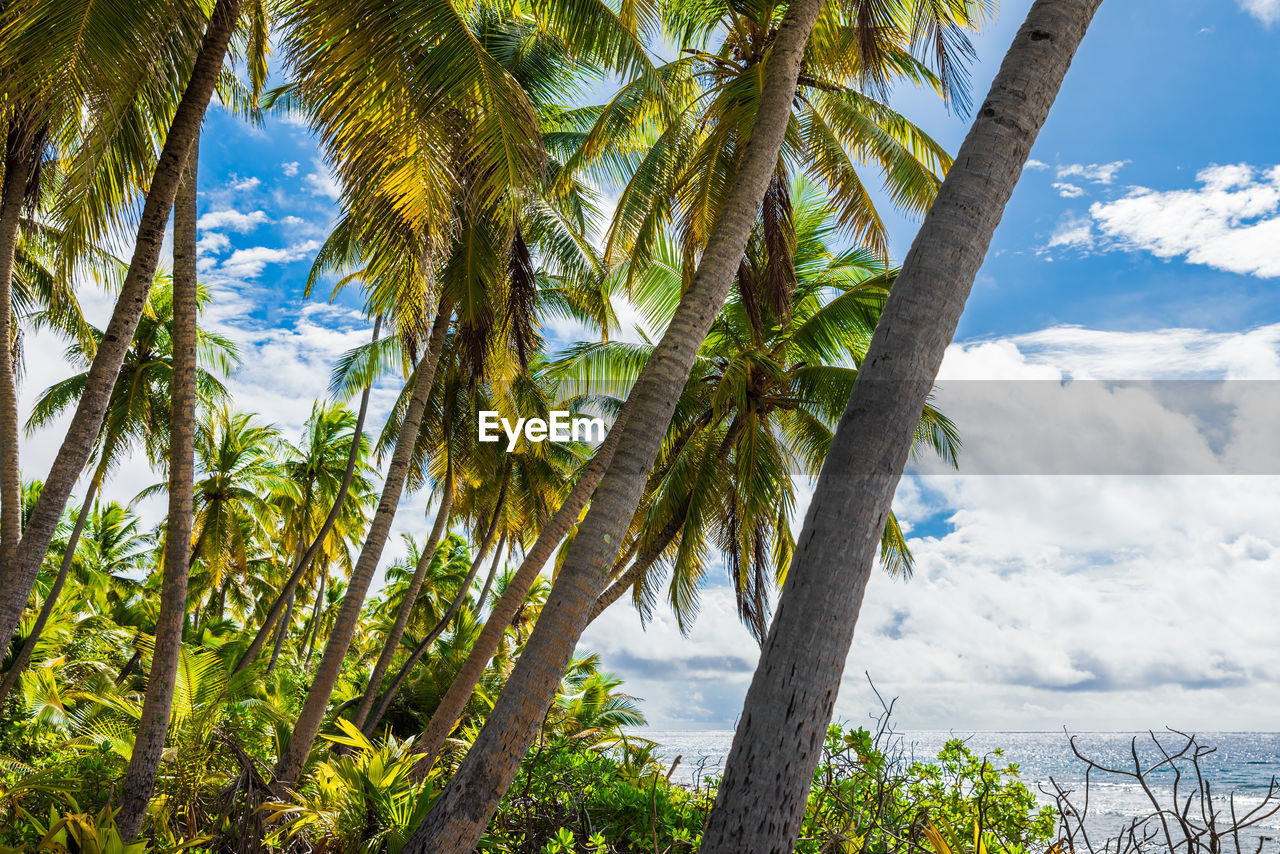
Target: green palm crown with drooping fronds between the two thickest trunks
761, 407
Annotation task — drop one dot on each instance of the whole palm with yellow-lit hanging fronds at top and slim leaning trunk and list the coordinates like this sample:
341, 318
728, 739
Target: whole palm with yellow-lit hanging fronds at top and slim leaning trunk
487, 75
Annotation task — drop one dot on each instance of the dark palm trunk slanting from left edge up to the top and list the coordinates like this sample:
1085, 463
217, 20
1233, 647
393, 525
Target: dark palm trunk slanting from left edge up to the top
19, 570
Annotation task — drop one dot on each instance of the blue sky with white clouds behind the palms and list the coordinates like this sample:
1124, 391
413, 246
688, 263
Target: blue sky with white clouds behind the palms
1142, 244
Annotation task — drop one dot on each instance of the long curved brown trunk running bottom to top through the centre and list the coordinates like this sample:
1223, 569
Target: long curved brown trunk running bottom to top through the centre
460, 816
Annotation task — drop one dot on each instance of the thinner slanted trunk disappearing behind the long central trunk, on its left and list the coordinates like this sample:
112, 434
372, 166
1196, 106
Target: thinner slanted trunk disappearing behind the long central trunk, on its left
508, 606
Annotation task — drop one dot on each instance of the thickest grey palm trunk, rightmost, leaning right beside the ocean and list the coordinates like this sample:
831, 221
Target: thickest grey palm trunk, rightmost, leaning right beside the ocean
762, 800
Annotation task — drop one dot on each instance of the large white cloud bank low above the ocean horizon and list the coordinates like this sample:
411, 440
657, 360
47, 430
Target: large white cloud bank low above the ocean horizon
1090, 601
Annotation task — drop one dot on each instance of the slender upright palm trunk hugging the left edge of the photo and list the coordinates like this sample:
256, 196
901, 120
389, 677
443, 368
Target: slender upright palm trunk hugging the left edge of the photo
17, 170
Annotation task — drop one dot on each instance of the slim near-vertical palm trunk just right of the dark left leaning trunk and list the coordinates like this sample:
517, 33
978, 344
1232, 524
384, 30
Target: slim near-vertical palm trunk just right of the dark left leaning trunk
154, 721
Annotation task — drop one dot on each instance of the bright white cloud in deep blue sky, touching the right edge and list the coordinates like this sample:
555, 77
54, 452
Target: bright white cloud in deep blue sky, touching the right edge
1231, 222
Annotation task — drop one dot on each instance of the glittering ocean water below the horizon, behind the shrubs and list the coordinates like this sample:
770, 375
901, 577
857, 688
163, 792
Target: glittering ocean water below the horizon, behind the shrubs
1244, 764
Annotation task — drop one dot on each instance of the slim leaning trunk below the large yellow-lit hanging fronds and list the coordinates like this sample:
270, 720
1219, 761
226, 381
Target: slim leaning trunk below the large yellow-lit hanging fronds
295, 757
